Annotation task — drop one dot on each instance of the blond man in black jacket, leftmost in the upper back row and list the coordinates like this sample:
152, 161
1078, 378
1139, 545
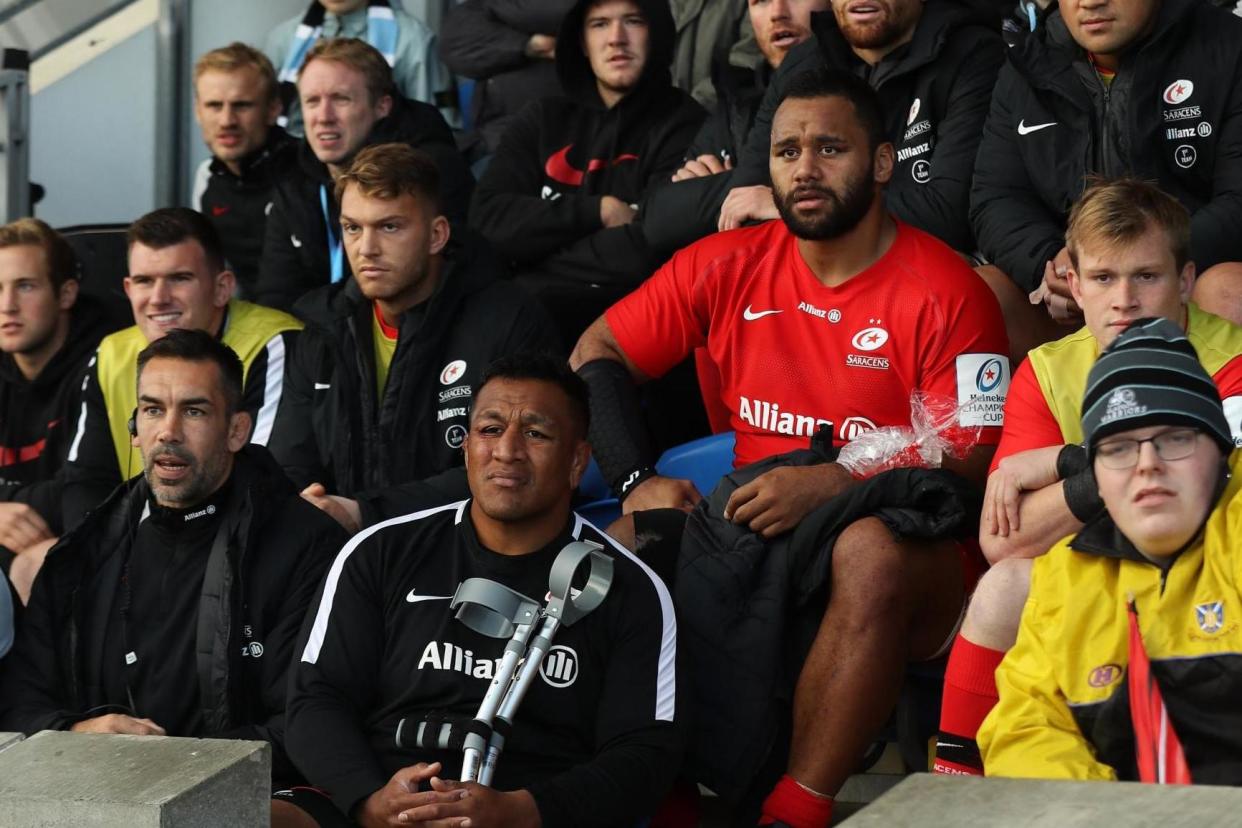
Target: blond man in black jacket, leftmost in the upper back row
237, 105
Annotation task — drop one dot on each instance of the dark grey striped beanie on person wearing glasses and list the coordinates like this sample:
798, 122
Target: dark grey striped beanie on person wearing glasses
1152, 377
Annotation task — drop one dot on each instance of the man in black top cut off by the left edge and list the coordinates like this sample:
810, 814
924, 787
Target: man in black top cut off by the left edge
48, 333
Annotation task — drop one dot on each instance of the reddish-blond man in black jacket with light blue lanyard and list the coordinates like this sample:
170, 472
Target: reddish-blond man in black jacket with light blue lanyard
348, 102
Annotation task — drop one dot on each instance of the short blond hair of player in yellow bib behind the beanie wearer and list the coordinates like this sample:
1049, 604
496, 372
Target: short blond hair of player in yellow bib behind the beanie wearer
1123, 210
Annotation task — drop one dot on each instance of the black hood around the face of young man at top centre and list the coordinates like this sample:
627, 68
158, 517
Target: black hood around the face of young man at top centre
574, 69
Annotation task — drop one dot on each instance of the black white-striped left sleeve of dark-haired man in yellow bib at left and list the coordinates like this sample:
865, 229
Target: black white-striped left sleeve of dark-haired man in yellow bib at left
91, 472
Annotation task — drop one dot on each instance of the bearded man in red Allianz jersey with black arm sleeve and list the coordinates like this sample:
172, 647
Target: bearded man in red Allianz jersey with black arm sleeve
828, 320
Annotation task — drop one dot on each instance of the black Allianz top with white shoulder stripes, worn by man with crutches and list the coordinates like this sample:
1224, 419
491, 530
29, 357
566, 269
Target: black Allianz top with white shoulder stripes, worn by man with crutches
598, 739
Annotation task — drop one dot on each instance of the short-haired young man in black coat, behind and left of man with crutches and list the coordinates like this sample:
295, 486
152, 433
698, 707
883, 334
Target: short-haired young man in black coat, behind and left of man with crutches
384, 378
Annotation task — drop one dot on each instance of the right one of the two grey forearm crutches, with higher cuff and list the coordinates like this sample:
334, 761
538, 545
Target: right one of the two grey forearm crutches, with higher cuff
566, 608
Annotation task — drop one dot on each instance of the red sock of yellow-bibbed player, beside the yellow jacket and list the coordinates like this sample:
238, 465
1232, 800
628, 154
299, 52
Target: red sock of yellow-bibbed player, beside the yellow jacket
969, 697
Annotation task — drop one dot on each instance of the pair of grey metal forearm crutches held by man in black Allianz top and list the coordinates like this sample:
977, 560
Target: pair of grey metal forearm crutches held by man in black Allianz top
494, 610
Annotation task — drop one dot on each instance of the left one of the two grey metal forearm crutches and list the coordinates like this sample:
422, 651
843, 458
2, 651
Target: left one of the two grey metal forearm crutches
494, 610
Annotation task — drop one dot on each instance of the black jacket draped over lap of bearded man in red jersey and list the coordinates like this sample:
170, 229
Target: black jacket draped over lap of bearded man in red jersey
750, 609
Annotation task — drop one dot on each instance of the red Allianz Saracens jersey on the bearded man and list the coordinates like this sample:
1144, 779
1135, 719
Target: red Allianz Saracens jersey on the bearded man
794, 354
